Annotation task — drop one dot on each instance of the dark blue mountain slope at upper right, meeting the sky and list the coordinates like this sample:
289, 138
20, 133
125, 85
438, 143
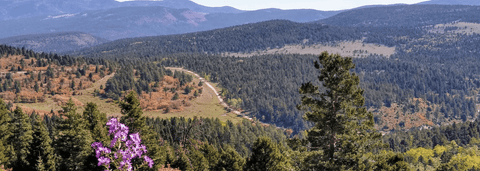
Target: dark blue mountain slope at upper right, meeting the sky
405, 16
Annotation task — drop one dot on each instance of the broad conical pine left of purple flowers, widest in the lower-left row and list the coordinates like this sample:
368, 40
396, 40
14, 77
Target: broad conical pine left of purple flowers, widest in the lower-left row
73, 140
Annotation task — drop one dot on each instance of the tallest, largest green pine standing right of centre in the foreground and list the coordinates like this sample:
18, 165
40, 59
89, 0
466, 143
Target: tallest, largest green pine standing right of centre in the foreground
343, 130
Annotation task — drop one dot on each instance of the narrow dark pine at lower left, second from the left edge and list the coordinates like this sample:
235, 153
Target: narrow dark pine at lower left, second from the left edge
22, 139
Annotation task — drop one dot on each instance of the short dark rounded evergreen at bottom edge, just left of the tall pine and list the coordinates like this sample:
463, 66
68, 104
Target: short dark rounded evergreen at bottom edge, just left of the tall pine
266, 156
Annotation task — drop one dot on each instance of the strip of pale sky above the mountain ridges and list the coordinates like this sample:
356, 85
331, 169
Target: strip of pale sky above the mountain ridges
324, 5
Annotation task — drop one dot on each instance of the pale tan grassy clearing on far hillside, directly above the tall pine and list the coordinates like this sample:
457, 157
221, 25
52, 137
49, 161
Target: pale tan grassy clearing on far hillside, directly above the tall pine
350, 48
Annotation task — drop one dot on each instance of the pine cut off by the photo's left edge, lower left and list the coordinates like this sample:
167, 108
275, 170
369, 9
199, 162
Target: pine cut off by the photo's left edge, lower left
6, 131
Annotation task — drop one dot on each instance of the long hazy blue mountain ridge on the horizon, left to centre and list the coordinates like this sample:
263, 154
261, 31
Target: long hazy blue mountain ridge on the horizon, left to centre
125, 22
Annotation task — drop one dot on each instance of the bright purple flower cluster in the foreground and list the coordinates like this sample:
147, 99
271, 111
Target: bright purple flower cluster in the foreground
128, 147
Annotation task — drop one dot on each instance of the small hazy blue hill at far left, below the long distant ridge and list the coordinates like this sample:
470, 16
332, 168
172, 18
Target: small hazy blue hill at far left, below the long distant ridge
54, 42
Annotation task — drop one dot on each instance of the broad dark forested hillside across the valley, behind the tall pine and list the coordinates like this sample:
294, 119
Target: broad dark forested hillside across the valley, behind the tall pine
443, 90
